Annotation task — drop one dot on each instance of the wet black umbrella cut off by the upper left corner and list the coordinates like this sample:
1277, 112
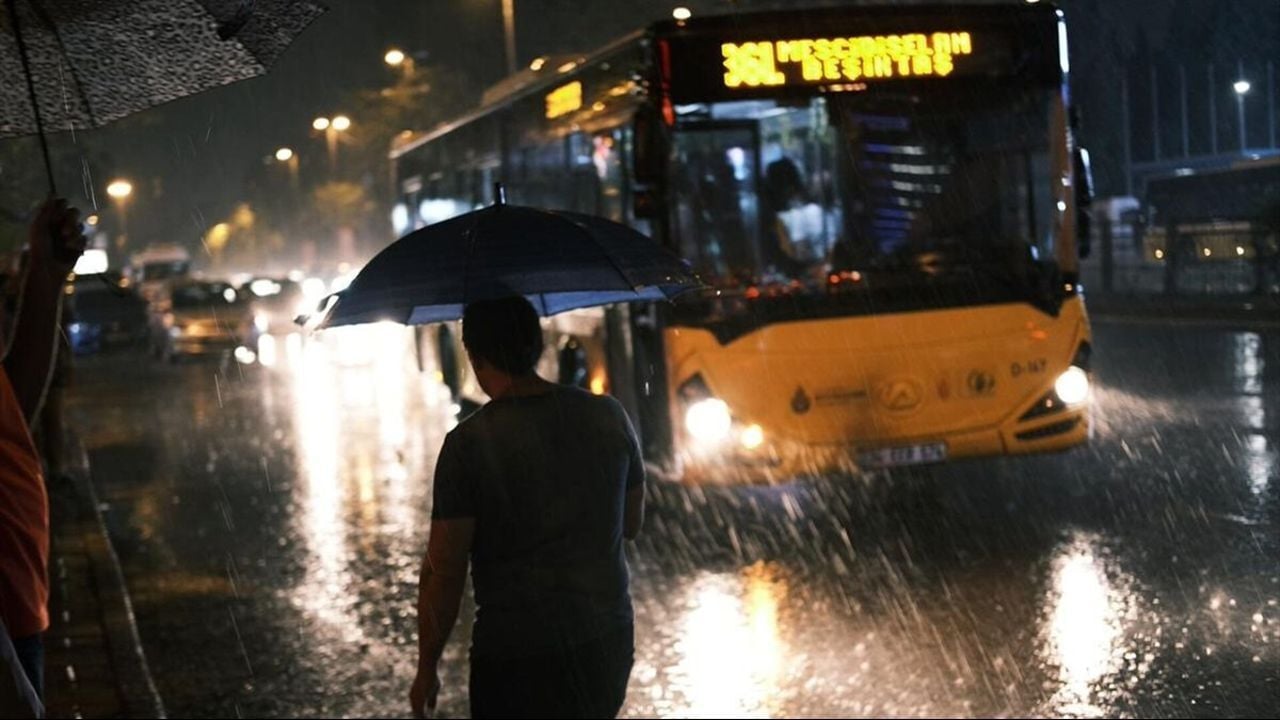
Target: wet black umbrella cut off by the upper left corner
104, 60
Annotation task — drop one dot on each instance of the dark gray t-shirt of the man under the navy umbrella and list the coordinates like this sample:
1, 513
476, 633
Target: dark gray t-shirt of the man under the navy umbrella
546, 479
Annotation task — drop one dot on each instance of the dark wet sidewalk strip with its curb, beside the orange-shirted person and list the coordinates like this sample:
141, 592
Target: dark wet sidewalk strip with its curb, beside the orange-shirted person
94, 666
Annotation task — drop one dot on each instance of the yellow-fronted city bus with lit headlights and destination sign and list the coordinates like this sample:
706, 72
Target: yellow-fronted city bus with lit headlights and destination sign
889, 207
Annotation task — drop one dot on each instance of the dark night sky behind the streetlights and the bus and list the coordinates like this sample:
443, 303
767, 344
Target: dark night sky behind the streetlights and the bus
191, 158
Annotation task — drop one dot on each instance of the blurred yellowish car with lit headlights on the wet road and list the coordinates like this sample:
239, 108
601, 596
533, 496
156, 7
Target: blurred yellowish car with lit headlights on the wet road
194, 318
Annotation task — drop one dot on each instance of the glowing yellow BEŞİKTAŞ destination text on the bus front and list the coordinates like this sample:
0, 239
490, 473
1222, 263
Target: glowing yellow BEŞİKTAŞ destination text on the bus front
825, 61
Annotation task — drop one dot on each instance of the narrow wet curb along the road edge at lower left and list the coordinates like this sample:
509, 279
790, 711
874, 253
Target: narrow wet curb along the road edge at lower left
121, 630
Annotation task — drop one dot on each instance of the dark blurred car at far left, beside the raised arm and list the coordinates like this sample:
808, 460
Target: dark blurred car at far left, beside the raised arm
104, 313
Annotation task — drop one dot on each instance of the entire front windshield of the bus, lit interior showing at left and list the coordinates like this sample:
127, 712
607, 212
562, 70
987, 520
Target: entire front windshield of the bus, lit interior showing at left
893, 181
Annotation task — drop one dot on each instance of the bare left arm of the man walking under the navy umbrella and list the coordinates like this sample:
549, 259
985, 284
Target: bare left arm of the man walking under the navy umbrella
440, 596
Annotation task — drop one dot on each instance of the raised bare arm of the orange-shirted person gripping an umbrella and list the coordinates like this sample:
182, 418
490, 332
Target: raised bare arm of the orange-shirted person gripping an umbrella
54, 241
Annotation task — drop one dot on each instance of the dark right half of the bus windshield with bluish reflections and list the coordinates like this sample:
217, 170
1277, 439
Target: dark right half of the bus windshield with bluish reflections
934, 175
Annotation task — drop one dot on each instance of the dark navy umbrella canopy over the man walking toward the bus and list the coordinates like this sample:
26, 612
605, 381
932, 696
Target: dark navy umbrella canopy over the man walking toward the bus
559, 261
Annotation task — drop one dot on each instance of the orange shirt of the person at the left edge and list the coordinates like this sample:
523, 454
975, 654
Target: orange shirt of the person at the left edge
24, 523
